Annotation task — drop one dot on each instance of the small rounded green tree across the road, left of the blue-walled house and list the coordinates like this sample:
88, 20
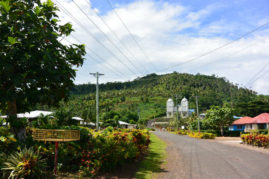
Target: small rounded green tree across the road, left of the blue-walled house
219, 117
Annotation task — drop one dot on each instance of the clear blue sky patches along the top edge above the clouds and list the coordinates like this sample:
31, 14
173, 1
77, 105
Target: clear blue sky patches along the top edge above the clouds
245, 14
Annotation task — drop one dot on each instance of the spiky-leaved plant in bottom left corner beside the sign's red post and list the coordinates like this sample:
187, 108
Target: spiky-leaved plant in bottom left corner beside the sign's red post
26, 163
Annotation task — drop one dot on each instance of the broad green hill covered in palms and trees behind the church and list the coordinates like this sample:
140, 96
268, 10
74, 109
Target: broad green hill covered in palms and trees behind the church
146, 97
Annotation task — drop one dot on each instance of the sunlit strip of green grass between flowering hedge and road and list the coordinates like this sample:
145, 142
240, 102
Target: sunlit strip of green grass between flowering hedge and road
152, 164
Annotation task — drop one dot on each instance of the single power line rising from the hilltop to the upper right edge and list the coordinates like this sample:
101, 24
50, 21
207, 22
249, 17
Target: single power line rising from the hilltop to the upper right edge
218, 48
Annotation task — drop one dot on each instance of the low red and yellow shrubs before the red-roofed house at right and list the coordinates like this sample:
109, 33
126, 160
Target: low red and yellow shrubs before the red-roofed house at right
255, 139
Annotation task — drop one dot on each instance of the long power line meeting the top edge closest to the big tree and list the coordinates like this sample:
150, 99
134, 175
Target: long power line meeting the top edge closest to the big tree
90, 33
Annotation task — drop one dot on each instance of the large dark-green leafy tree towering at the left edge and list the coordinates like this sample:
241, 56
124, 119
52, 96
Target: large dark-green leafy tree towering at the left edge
35, 66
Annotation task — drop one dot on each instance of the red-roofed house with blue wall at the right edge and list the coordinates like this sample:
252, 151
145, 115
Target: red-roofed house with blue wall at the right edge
247, 123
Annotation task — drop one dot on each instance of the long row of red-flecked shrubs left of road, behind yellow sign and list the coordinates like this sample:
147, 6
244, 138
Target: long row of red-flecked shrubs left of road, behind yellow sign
95, 152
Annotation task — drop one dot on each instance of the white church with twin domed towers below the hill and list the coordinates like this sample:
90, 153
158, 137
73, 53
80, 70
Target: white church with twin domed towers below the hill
183, 108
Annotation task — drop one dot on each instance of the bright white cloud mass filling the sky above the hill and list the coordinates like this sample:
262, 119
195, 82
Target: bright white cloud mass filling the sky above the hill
157, 27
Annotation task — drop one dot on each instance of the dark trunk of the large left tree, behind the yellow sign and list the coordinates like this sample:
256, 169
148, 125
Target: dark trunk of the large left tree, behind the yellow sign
18, 130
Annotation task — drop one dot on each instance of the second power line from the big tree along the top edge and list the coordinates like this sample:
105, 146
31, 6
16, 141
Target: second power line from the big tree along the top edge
105, 35
